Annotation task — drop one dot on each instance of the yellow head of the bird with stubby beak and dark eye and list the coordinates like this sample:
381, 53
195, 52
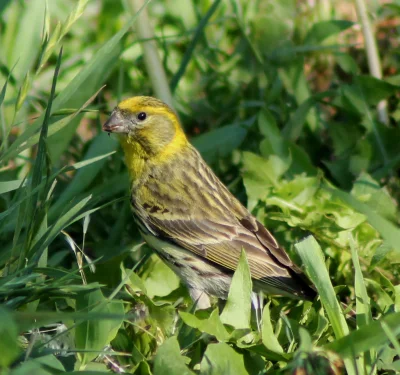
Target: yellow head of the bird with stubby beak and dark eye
146, 126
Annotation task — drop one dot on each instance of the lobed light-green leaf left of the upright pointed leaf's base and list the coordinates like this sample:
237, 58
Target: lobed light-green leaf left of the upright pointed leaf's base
212, 325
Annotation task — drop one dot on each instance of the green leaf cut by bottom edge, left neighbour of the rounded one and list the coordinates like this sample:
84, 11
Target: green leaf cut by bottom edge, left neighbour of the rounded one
168, 360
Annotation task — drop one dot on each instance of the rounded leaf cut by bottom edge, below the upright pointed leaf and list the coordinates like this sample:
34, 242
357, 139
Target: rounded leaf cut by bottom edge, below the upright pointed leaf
221, 359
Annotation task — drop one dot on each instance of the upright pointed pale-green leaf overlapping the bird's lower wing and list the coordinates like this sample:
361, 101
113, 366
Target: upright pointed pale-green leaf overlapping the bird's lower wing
237, 310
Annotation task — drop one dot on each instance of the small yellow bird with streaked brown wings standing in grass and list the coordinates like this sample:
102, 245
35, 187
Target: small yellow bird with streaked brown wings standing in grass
188, 216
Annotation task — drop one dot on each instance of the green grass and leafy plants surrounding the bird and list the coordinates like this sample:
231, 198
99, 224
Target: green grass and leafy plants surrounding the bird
290, 119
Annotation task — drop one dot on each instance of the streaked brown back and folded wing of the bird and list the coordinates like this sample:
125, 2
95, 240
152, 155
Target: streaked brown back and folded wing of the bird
209, 221
